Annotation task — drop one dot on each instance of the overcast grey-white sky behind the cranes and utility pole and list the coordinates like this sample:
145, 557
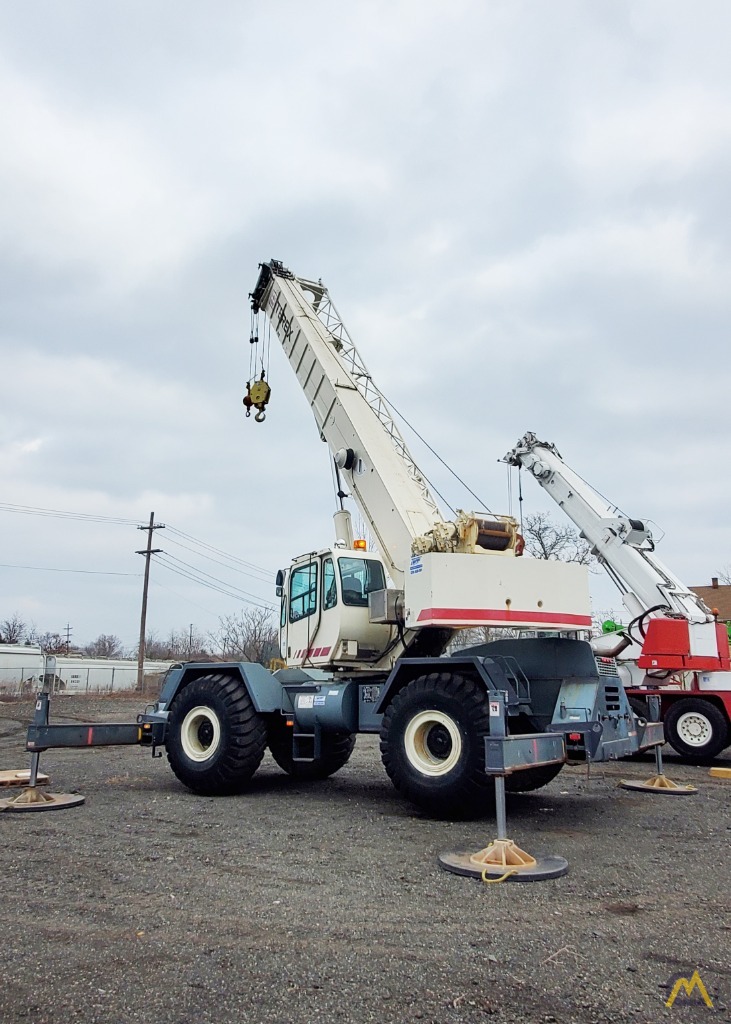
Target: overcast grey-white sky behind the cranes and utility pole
521, 209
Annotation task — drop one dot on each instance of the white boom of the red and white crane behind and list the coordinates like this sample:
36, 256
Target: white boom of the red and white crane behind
624, 545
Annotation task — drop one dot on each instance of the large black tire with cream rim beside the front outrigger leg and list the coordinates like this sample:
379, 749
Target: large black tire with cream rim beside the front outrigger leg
433, 745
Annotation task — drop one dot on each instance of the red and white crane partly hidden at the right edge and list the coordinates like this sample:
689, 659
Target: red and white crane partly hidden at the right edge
674, 647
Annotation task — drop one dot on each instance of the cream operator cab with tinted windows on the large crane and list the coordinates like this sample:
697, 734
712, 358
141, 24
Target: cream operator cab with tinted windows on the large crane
325, 619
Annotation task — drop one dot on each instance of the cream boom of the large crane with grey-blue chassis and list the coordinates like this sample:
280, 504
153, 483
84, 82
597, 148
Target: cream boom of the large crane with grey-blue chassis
351, 413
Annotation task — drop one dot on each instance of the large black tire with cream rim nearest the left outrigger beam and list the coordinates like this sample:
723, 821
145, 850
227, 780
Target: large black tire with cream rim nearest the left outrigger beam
216, 739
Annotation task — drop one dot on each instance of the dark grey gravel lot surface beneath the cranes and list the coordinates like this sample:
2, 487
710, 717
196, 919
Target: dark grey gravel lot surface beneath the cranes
304, 903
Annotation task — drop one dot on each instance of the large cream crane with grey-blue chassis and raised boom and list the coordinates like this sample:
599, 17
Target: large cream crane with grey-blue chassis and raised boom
364, 632
